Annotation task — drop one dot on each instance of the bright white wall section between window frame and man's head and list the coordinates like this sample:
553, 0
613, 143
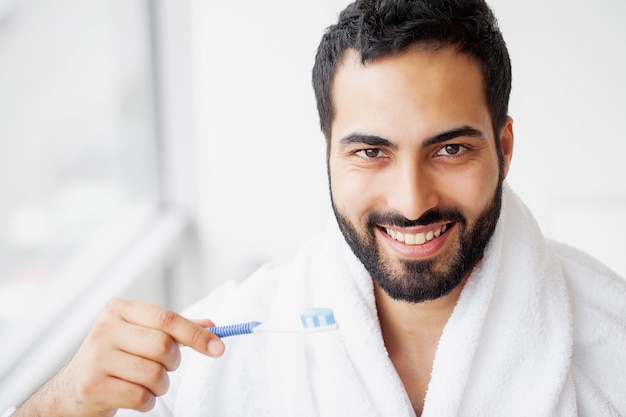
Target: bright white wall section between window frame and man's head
261, 156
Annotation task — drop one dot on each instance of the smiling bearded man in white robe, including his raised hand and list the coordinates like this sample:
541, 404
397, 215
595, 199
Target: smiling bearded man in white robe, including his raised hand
449, 300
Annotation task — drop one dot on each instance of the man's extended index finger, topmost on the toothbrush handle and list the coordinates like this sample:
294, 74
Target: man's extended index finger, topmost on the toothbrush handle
182, 330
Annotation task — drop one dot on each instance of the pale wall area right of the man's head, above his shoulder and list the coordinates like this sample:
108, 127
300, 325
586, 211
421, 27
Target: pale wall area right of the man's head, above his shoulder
569, 106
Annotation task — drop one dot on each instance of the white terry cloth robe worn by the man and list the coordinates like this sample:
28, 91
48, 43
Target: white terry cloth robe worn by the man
539, 330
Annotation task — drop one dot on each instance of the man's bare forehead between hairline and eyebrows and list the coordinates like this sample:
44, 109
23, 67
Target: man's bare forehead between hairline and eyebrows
416, 93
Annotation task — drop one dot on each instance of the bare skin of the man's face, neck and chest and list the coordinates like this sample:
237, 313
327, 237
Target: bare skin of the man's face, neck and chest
412, 101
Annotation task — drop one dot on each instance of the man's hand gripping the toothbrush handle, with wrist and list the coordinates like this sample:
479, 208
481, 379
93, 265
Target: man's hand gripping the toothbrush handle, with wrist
122, 363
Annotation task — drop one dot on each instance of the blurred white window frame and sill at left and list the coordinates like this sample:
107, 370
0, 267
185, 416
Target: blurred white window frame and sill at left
156, 259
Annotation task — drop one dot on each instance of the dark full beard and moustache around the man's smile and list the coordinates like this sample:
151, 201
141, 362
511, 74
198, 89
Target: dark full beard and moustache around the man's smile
421, 280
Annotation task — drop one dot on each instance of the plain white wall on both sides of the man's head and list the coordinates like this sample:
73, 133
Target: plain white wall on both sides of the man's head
261, 157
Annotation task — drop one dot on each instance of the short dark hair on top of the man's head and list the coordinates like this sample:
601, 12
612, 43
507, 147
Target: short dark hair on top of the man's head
378, 28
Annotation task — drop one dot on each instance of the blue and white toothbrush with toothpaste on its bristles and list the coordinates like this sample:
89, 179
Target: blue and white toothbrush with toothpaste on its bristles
313, 319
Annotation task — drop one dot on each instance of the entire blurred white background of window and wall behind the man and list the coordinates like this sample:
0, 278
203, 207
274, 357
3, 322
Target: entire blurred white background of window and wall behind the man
154, 149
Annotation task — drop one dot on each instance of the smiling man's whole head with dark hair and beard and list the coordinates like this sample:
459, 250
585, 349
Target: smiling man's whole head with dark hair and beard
413, 100
